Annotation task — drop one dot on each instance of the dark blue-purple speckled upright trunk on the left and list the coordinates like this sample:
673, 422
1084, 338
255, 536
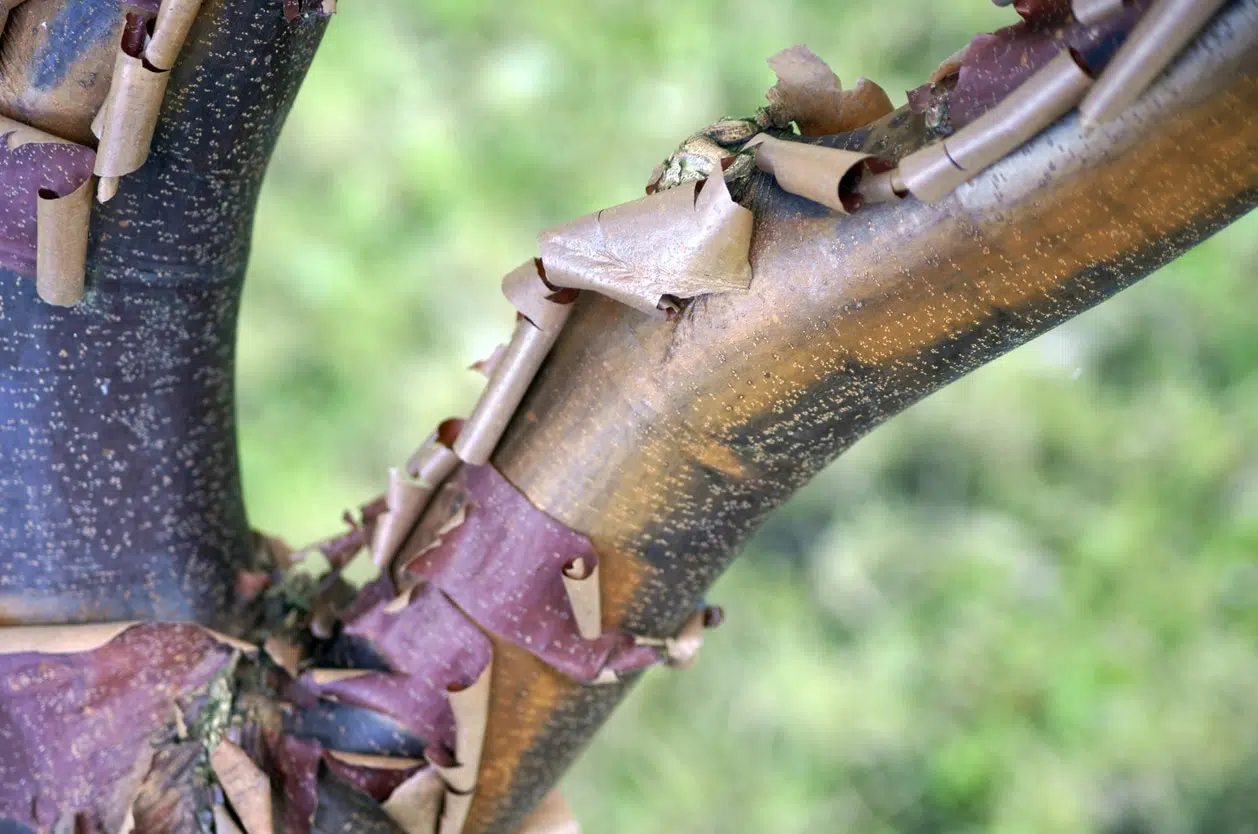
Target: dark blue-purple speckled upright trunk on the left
120, 496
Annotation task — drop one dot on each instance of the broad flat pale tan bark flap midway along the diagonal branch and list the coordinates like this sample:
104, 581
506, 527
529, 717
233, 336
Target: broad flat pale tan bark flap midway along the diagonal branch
680, 243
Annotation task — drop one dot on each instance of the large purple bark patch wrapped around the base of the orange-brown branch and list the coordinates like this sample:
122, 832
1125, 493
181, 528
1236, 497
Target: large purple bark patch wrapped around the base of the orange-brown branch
505, 568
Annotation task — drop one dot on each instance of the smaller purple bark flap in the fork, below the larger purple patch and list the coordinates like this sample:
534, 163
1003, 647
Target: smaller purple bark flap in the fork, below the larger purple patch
430, 646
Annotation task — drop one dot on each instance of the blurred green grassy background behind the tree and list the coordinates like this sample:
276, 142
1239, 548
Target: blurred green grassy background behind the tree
1030, 604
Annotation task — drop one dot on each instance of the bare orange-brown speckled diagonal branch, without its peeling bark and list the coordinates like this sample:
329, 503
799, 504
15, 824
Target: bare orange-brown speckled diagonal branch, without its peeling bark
669, 442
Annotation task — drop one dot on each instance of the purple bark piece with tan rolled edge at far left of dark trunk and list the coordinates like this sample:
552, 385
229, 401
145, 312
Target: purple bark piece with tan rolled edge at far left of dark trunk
43, 213
